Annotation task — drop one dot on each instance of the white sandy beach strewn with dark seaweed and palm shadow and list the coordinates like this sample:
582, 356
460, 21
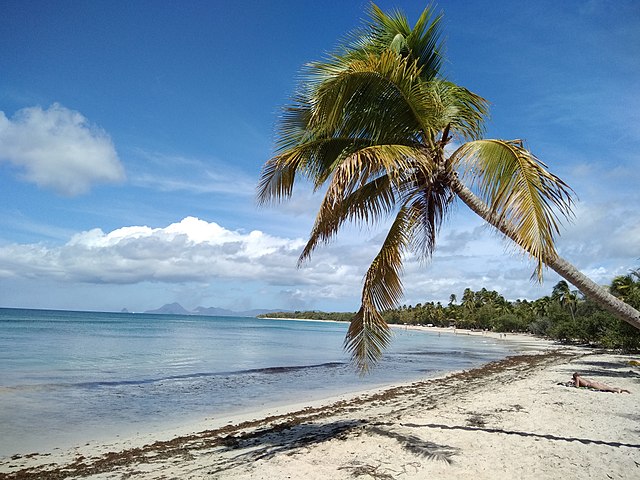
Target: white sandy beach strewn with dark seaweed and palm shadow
516, 418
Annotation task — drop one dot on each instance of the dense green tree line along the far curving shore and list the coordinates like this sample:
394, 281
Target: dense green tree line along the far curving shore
564, 315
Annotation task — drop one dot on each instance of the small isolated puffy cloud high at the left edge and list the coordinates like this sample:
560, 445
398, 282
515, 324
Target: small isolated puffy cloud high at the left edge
58, 149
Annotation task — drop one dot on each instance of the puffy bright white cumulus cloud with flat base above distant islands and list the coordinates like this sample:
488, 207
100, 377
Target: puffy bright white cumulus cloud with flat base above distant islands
190, 250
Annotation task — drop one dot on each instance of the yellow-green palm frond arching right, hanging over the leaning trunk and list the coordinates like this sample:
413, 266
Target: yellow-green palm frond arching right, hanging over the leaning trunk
519, 191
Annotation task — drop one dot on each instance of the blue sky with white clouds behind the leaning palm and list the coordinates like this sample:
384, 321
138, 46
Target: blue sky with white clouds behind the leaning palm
132, 136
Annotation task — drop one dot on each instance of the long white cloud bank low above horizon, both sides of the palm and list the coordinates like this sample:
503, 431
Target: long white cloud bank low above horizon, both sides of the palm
198, 253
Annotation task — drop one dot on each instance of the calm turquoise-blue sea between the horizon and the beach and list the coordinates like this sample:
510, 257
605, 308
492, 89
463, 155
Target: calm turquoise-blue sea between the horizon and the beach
66, 377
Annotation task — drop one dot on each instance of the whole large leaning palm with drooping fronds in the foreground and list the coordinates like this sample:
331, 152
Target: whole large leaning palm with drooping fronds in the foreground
377, 126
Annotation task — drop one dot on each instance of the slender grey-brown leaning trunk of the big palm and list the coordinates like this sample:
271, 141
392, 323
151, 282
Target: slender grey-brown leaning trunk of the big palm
563, 268
